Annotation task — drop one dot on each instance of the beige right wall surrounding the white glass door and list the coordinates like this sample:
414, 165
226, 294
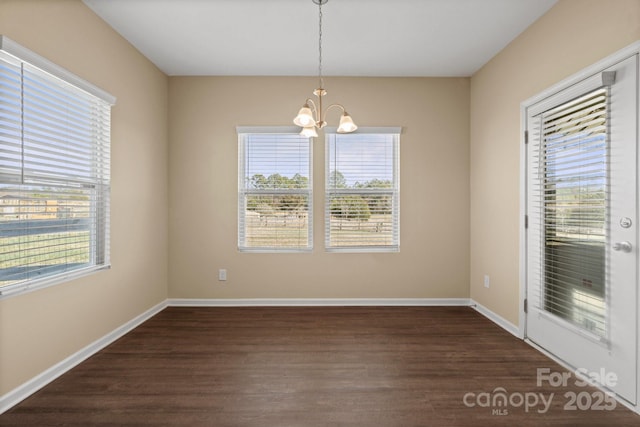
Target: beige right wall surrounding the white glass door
571, 36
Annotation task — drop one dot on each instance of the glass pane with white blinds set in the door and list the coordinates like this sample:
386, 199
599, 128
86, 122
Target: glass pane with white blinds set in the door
570, 201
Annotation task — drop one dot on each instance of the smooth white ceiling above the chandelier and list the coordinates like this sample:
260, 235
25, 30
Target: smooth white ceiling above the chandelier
280, 37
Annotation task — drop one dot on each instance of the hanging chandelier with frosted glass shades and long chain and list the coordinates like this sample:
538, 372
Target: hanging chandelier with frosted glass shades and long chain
311, 116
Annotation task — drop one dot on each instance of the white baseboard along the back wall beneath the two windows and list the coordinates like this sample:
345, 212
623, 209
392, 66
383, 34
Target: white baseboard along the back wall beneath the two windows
317, 302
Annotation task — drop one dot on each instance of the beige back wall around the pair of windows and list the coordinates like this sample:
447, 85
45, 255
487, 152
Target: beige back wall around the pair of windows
434, 238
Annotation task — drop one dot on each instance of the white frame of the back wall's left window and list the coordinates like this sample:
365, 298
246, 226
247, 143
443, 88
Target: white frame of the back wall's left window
243, 132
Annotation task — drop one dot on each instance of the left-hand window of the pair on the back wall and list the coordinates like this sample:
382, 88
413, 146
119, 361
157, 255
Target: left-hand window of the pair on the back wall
274, 190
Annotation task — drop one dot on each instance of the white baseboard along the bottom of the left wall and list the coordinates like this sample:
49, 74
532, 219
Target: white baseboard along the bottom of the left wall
20, 393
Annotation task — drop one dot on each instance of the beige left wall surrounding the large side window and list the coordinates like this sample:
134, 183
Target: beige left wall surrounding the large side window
39, 329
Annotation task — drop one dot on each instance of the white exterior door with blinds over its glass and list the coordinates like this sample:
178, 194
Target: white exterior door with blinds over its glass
581, 237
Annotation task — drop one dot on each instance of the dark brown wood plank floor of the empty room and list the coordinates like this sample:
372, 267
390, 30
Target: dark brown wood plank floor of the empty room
309, 366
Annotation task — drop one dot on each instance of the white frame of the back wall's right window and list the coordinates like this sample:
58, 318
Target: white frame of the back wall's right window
394, 191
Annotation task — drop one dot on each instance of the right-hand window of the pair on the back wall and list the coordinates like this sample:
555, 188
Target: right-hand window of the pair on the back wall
362, 190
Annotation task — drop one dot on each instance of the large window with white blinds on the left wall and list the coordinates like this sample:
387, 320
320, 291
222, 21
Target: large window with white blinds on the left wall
54, 172
